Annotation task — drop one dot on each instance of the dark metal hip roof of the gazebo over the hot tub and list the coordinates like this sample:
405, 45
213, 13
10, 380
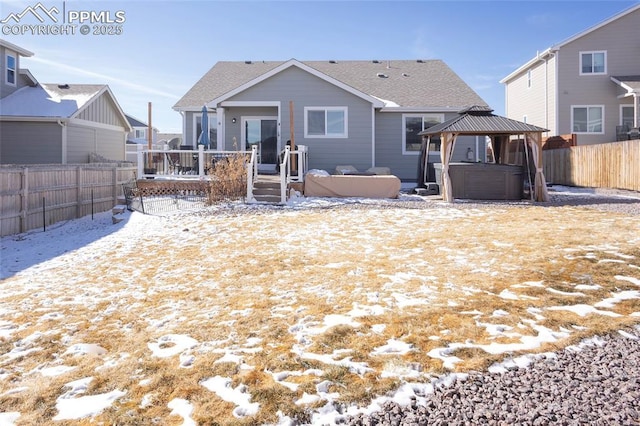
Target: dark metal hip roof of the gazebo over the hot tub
479, 120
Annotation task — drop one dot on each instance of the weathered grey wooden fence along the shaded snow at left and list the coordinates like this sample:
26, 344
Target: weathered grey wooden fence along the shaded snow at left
37, 196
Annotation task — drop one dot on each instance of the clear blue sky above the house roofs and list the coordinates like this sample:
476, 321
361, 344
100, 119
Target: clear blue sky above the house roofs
166, 46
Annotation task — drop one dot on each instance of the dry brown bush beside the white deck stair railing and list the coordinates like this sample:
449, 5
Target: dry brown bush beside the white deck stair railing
228, 179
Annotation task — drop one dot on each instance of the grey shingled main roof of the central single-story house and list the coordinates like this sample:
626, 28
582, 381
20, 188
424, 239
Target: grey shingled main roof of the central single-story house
396, 83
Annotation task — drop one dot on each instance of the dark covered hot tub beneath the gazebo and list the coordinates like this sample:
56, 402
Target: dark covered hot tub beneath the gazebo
483, 181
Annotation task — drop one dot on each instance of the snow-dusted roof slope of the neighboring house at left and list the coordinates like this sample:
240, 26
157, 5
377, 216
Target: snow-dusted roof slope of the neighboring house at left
49, 100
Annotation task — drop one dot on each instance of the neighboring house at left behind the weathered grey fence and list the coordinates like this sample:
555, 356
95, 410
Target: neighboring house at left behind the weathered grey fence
55, 123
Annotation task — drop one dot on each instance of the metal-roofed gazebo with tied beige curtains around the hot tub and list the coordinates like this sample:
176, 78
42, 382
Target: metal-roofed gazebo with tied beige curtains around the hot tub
480, 121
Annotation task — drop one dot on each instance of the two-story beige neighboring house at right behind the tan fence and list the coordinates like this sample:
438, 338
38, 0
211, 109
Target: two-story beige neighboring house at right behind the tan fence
588, 84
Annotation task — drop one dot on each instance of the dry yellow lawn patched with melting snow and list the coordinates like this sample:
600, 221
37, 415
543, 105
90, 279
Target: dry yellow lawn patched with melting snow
308, 312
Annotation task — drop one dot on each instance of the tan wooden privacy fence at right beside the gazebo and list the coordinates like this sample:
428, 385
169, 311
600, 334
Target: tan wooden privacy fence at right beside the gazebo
609, 165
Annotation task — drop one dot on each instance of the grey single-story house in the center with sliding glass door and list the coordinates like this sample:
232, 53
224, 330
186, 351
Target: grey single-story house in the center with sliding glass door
362, 113
